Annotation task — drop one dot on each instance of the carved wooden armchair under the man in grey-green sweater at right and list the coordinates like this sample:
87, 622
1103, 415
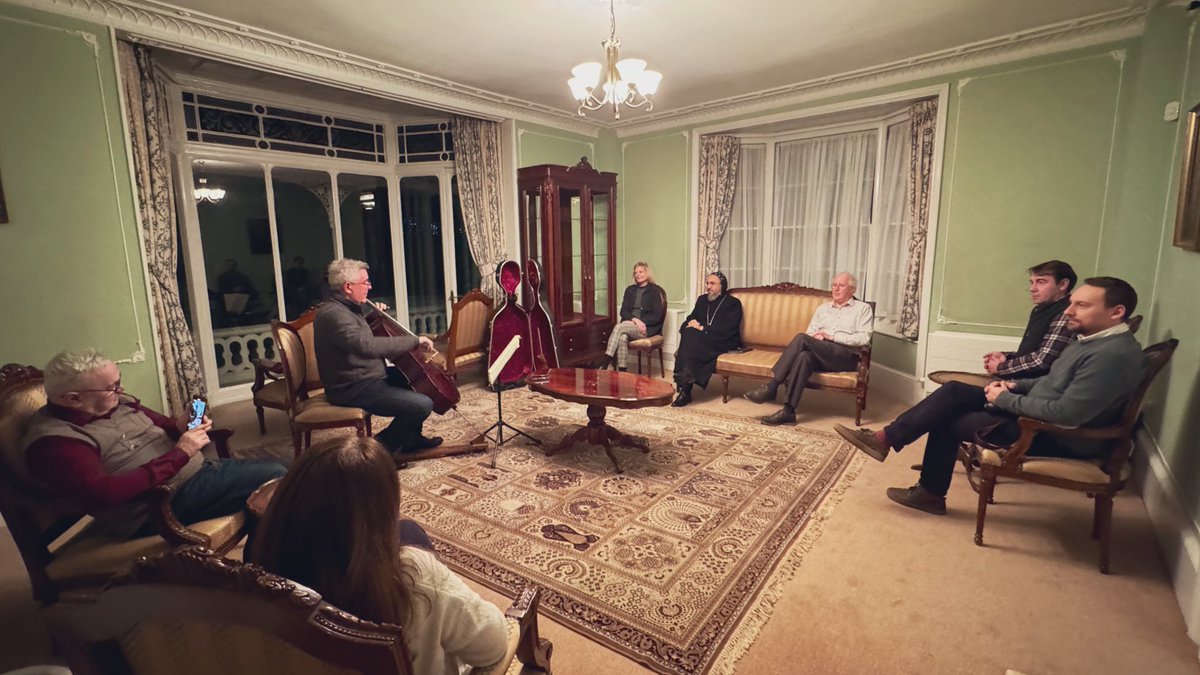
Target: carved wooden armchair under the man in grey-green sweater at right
1100, 480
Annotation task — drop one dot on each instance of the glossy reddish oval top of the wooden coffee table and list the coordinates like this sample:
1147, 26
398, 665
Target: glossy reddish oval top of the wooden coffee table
609, 389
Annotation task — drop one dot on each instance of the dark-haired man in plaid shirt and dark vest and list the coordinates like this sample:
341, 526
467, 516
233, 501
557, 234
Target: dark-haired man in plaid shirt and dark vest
1047, 334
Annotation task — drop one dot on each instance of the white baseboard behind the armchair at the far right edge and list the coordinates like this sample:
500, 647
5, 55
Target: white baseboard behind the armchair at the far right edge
1175, 528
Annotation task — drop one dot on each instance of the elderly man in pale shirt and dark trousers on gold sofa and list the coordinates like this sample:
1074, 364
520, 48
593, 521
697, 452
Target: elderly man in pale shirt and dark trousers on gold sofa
826, 347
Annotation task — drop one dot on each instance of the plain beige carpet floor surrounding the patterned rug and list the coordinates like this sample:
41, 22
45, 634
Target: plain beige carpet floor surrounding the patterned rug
885, 590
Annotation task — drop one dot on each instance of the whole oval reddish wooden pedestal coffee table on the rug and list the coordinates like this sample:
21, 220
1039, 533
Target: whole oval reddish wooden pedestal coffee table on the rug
602, 390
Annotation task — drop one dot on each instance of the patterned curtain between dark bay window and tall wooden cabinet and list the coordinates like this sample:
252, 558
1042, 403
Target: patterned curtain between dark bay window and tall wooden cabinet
477, 162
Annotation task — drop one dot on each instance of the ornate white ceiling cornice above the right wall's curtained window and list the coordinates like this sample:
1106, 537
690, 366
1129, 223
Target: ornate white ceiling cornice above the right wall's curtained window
1097, 29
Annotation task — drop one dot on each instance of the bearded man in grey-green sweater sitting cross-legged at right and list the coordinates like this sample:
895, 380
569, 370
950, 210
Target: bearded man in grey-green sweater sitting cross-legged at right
1088, 386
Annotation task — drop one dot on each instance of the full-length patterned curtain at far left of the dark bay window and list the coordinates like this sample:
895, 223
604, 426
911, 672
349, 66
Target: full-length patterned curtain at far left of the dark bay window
146, 105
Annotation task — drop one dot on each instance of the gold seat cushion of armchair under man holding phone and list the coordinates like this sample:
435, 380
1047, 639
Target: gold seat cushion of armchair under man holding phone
91, 553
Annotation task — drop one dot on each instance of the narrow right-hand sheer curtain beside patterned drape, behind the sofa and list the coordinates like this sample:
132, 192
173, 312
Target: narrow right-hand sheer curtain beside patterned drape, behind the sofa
885, 282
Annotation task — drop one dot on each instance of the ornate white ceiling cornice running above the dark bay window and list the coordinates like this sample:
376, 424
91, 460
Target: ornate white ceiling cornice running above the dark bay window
159, 25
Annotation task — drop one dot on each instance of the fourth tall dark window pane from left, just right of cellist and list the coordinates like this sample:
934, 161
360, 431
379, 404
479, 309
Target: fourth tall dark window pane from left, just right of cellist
421, 207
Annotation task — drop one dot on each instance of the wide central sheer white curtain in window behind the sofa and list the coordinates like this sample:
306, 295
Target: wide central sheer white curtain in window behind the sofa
823, 207
